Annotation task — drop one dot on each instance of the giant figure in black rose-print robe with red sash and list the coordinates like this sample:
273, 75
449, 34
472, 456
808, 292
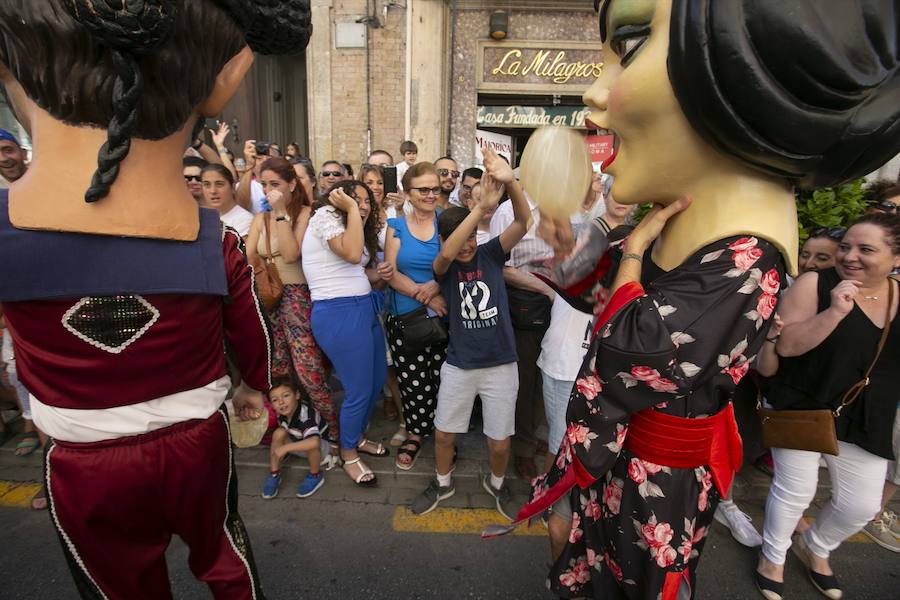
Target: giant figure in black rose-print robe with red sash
719, 108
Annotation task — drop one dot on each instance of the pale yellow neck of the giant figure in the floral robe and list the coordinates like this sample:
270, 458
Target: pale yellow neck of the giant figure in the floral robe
731, 203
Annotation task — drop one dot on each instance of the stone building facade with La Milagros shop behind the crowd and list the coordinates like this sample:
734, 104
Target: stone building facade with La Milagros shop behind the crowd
378, 72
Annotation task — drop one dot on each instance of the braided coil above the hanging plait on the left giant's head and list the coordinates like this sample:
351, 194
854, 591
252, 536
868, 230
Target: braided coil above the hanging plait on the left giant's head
134, 26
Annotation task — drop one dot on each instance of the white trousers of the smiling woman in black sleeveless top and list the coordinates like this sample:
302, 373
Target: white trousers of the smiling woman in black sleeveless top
857, 480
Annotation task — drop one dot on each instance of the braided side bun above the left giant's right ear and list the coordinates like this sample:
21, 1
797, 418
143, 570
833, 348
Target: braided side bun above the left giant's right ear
272, 26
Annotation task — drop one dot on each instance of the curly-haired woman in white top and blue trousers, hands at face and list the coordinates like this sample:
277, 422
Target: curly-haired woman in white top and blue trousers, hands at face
338, 250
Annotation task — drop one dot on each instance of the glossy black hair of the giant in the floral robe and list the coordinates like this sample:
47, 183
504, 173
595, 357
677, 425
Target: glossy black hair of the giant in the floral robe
802, 89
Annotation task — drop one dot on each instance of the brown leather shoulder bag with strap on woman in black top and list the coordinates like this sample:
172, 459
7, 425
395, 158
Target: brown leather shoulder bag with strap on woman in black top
814, 430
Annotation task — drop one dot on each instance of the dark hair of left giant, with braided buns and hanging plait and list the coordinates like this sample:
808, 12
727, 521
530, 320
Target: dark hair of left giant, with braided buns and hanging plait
136, 68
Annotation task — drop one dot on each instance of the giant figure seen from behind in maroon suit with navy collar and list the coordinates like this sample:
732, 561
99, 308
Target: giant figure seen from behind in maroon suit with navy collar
120, 293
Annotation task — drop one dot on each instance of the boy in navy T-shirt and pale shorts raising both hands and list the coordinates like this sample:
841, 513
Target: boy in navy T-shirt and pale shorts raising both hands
481, 357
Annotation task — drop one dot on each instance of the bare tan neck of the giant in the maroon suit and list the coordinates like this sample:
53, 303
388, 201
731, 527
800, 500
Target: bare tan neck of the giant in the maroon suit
149, 199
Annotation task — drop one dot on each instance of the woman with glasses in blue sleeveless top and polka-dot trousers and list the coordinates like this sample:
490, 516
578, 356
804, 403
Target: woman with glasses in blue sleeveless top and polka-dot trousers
411, 246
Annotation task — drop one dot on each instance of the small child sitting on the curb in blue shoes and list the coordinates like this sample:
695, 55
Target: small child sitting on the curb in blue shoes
300, 429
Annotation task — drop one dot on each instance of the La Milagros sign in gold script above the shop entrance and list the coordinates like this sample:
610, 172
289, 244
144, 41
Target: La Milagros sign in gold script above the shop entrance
538, 66
